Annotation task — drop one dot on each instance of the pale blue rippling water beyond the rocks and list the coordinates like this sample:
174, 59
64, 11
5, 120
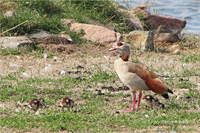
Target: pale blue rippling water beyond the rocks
188, 10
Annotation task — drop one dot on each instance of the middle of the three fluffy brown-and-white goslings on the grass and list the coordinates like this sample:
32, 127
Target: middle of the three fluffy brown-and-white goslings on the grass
66, 103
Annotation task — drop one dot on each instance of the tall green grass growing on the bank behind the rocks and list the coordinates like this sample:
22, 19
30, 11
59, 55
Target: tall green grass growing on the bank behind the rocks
46, 15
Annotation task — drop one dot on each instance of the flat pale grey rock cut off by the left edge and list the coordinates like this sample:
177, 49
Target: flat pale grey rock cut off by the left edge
14, 42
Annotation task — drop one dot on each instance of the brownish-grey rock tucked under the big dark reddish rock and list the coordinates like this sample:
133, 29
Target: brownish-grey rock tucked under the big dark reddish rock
164, 34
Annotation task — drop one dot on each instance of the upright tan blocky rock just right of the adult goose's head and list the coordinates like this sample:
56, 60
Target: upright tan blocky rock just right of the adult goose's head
141, 39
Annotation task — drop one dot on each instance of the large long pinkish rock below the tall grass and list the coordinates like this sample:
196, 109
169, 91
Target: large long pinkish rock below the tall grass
97, 33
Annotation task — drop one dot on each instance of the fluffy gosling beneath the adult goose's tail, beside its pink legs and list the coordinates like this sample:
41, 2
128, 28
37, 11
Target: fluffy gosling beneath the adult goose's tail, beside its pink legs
152, 102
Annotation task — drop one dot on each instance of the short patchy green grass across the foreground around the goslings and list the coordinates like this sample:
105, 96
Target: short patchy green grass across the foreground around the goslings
93, 115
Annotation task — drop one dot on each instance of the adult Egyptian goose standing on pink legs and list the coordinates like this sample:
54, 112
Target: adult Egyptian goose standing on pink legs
137, 76
